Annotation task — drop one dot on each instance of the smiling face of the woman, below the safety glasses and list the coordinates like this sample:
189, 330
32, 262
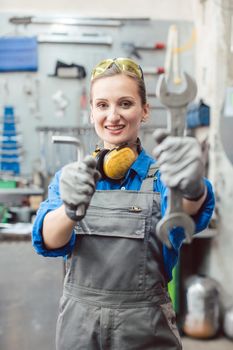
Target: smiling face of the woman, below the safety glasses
117, 110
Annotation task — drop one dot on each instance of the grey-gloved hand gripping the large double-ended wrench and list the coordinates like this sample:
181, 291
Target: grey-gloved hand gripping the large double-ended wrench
180, 163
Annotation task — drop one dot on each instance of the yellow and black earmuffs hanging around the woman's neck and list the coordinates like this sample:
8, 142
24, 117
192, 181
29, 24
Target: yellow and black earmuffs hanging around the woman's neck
114, 164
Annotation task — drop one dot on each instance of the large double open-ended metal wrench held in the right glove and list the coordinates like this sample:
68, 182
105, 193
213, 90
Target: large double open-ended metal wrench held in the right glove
176, 103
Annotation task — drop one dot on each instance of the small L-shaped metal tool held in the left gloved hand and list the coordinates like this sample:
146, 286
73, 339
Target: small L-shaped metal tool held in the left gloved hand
80, 211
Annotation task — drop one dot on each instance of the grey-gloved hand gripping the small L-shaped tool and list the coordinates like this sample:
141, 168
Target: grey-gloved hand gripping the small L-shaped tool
77, 186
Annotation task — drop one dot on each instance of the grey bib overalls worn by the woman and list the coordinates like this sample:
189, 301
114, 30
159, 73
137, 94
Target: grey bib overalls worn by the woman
114, 291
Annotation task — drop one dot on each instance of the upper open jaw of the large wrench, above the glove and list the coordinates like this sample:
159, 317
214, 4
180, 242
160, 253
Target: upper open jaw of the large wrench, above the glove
173, 99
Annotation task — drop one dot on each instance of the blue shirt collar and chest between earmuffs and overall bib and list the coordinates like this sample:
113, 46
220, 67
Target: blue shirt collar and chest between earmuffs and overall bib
134, 177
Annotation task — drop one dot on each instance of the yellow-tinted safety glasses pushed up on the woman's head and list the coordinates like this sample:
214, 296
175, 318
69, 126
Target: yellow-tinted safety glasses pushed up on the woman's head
124, 64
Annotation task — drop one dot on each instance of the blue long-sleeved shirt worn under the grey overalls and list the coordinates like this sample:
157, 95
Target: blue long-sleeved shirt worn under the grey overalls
133, 180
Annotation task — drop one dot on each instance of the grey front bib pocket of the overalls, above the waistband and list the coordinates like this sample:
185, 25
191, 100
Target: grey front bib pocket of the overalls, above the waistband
111, 250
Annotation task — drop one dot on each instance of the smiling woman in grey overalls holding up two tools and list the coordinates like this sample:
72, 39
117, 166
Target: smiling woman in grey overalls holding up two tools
101, 213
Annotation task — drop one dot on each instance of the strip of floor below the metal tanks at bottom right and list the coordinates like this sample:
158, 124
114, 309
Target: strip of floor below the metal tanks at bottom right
213, 344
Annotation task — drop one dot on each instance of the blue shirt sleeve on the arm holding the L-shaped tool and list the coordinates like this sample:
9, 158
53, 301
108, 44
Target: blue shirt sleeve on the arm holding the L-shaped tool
52, 202
